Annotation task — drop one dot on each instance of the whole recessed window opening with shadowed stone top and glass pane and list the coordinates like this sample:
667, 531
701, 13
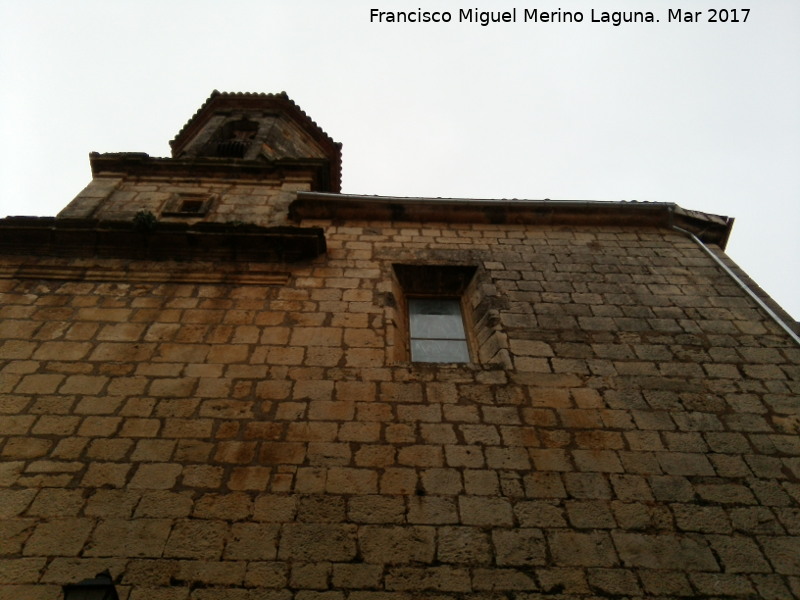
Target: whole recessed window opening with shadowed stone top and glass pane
431, 313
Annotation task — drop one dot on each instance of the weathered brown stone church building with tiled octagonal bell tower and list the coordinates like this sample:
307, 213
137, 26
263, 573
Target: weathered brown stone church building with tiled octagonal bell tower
223, 379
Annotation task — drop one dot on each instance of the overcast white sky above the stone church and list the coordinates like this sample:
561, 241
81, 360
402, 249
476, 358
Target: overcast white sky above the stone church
706, 115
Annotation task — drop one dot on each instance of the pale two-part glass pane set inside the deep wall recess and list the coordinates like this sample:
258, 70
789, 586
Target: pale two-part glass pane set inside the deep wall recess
436, 330
